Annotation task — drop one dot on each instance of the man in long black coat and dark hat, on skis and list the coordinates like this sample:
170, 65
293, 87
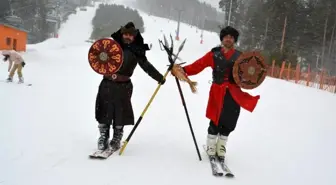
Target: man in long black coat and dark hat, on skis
113, 103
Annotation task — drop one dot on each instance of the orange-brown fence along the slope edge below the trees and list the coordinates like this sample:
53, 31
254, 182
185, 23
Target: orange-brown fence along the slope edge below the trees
318, 80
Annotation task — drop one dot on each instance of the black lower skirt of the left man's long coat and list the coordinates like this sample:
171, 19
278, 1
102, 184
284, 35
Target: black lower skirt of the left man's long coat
113, 103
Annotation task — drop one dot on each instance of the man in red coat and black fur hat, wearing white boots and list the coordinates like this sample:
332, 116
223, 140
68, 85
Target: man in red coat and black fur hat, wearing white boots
225, 97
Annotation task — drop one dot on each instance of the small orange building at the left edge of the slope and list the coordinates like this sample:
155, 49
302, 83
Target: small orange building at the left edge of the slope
12, 38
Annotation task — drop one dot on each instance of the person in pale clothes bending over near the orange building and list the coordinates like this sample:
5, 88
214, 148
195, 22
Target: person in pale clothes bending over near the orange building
14, 58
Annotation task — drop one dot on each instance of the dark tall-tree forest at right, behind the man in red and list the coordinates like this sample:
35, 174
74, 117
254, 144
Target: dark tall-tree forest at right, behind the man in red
287, 29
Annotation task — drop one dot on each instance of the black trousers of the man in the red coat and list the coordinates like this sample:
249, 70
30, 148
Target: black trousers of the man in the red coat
228, 118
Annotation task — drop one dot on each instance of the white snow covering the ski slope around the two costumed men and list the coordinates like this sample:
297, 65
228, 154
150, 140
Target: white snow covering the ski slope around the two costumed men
47, 130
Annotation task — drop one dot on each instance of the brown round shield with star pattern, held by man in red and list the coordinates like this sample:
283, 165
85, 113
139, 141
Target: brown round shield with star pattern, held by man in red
249, 70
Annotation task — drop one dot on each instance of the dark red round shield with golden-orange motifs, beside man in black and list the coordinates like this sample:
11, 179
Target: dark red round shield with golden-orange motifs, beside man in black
105, 56
